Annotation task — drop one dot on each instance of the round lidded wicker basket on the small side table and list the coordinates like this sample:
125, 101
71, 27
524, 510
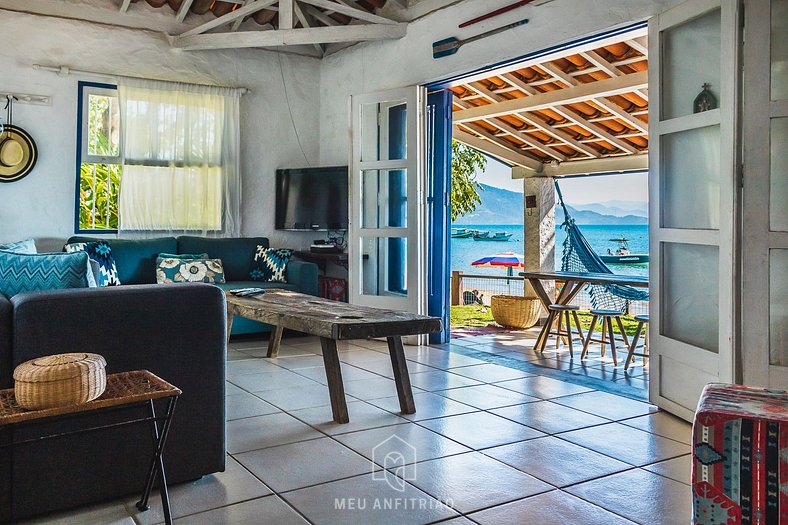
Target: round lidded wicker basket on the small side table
59, 380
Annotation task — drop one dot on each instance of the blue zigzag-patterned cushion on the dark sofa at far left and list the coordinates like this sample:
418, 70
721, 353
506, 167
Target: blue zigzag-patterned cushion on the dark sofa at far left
45, 271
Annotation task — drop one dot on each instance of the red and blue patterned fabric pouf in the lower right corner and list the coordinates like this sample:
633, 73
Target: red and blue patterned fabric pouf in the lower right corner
740, 456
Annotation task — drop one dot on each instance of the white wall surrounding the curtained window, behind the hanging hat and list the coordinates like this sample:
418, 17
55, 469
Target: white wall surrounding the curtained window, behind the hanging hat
42, 204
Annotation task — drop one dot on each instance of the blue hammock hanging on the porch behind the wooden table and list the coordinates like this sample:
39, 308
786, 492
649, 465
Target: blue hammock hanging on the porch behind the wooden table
578, 256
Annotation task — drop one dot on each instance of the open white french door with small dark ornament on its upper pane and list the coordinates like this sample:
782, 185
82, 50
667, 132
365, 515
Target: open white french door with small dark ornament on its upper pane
693, 195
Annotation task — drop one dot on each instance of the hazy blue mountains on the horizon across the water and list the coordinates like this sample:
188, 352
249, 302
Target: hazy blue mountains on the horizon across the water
500, 206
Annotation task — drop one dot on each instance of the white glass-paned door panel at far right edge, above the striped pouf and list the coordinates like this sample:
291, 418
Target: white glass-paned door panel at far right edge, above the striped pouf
765, 219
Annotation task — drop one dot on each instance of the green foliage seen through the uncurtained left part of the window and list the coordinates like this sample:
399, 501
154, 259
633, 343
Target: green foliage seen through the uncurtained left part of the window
99, 182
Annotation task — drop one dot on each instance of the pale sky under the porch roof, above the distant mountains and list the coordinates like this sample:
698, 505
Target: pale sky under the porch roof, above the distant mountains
583, 190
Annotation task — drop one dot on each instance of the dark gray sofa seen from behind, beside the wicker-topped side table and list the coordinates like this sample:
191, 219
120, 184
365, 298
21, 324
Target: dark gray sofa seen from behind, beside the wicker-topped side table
176, 331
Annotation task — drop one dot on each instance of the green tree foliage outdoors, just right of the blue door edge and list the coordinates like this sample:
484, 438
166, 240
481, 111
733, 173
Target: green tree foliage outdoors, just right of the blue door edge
465, 163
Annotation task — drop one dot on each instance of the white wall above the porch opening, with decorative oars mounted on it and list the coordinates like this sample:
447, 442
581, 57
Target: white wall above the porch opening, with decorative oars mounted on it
382, 65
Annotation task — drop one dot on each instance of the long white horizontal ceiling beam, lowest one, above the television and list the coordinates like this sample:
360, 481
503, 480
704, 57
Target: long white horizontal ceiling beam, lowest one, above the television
287, 37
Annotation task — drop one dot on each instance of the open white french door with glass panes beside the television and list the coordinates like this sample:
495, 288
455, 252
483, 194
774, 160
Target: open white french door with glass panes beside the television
387, 236
